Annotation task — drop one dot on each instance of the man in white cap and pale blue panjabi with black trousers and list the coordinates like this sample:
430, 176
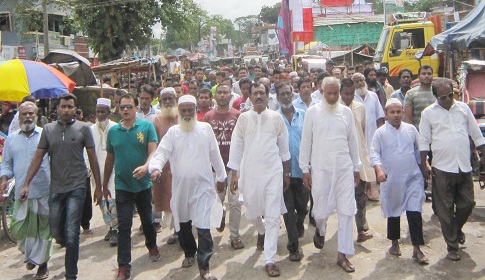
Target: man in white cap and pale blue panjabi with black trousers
395, 158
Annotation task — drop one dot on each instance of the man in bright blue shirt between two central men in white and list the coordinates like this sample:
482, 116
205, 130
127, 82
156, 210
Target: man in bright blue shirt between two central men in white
296, 195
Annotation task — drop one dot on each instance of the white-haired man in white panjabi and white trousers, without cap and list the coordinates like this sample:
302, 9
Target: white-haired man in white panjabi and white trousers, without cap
329, 159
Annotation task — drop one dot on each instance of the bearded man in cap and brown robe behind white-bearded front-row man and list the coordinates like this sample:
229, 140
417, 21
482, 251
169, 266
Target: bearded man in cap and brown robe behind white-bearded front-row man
162, 189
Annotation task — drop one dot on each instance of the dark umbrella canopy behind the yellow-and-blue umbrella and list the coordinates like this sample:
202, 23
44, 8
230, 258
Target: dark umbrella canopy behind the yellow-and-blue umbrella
82, 75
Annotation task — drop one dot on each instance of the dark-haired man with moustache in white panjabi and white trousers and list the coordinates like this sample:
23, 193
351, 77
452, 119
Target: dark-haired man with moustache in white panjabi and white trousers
259, 146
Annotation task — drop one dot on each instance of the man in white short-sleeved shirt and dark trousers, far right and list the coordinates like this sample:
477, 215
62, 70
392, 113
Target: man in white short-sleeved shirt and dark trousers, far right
447, 126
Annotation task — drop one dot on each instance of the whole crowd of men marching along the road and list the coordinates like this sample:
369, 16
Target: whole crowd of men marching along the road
279, 142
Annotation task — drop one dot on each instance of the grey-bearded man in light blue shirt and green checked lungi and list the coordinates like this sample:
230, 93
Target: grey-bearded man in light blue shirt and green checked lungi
29, 224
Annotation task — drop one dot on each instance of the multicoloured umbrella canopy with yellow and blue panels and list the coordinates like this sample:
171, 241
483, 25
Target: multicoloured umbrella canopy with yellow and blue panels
19, 78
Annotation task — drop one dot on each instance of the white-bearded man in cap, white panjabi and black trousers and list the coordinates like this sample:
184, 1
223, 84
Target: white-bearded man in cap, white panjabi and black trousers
193, 151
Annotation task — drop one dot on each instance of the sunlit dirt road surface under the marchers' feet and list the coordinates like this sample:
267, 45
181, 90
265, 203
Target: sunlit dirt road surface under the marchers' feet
98, 259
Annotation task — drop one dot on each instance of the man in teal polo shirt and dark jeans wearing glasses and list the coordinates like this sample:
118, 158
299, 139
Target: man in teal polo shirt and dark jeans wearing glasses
129, 147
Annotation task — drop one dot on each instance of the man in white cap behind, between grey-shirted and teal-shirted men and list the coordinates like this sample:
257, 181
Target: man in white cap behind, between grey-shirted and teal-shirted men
100, 134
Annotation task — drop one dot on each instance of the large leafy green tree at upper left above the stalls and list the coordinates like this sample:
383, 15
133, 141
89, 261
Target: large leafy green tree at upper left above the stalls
113, 27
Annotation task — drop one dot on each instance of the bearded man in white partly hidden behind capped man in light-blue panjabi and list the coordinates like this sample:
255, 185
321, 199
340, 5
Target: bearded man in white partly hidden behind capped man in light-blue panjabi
374, 118
